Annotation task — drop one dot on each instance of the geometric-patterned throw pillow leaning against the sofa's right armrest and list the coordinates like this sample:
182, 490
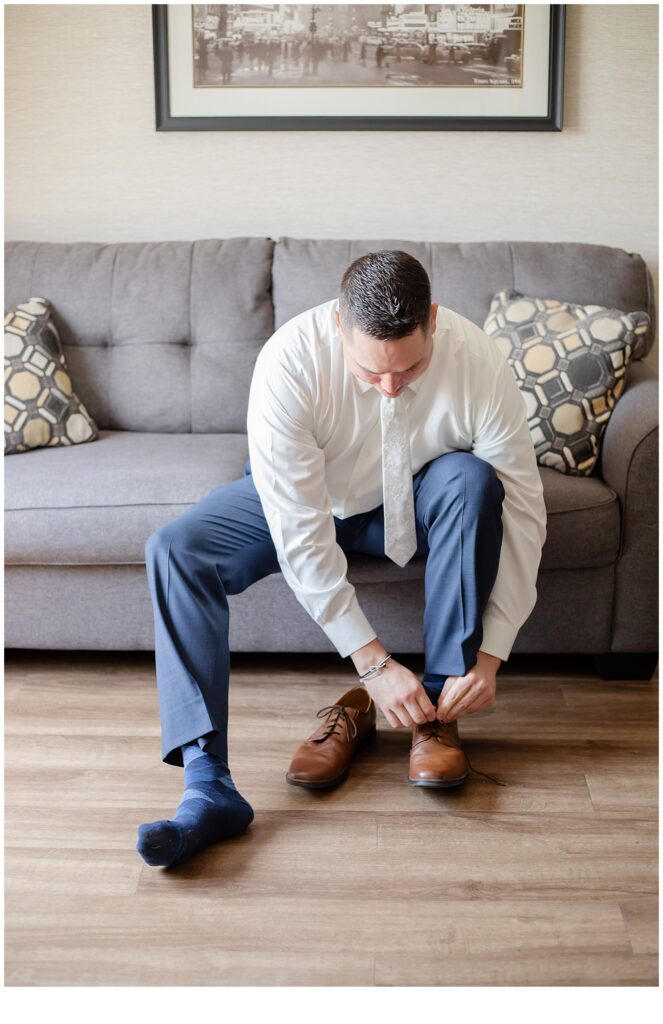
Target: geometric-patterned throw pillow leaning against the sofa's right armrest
570, 362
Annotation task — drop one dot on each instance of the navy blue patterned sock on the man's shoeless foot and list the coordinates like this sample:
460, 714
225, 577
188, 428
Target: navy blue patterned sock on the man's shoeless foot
211, 810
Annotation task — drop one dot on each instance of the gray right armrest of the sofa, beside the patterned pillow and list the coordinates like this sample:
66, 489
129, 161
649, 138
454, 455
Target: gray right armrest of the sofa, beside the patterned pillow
629, 464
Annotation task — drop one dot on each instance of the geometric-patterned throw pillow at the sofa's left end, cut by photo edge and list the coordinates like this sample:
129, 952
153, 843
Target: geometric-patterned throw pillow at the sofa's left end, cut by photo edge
40, 408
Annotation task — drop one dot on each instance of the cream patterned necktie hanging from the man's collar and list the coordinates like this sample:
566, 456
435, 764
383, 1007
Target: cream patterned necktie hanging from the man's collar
398, 493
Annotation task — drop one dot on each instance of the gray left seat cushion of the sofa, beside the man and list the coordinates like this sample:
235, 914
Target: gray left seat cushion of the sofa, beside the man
99, 503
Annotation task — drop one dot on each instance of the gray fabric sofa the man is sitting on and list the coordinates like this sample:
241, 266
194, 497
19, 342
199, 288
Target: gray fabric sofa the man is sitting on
161, 339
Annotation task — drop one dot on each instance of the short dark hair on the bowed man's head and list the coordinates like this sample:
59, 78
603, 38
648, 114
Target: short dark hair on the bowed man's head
387, 294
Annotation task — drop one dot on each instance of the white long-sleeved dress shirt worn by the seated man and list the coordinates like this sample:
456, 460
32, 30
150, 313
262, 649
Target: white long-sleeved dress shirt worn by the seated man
315, 445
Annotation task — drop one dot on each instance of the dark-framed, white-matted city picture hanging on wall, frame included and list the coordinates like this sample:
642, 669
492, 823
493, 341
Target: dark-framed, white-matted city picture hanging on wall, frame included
359, 67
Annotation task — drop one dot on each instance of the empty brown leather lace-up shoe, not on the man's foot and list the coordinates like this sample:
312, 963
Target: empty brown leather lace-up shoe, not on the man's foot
324, 759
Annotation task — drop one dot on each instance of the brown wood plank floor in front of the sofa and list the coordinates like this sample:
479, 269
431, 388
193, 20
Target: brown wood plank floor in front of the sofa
551, 880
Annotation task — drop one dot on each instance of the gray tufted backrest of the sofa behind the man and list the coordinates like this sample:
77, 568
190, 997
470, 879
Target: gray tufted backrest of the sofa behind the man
162, 336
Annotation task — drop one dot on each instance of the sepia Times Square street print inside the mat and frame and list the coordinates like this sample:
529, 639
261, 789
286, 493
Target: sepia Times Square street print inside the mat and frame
478, 47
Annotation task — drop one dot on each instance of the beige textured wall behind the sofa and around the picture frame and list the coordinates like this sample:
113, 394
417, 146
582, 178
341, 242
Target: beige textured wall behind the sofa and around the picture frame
84, 161
